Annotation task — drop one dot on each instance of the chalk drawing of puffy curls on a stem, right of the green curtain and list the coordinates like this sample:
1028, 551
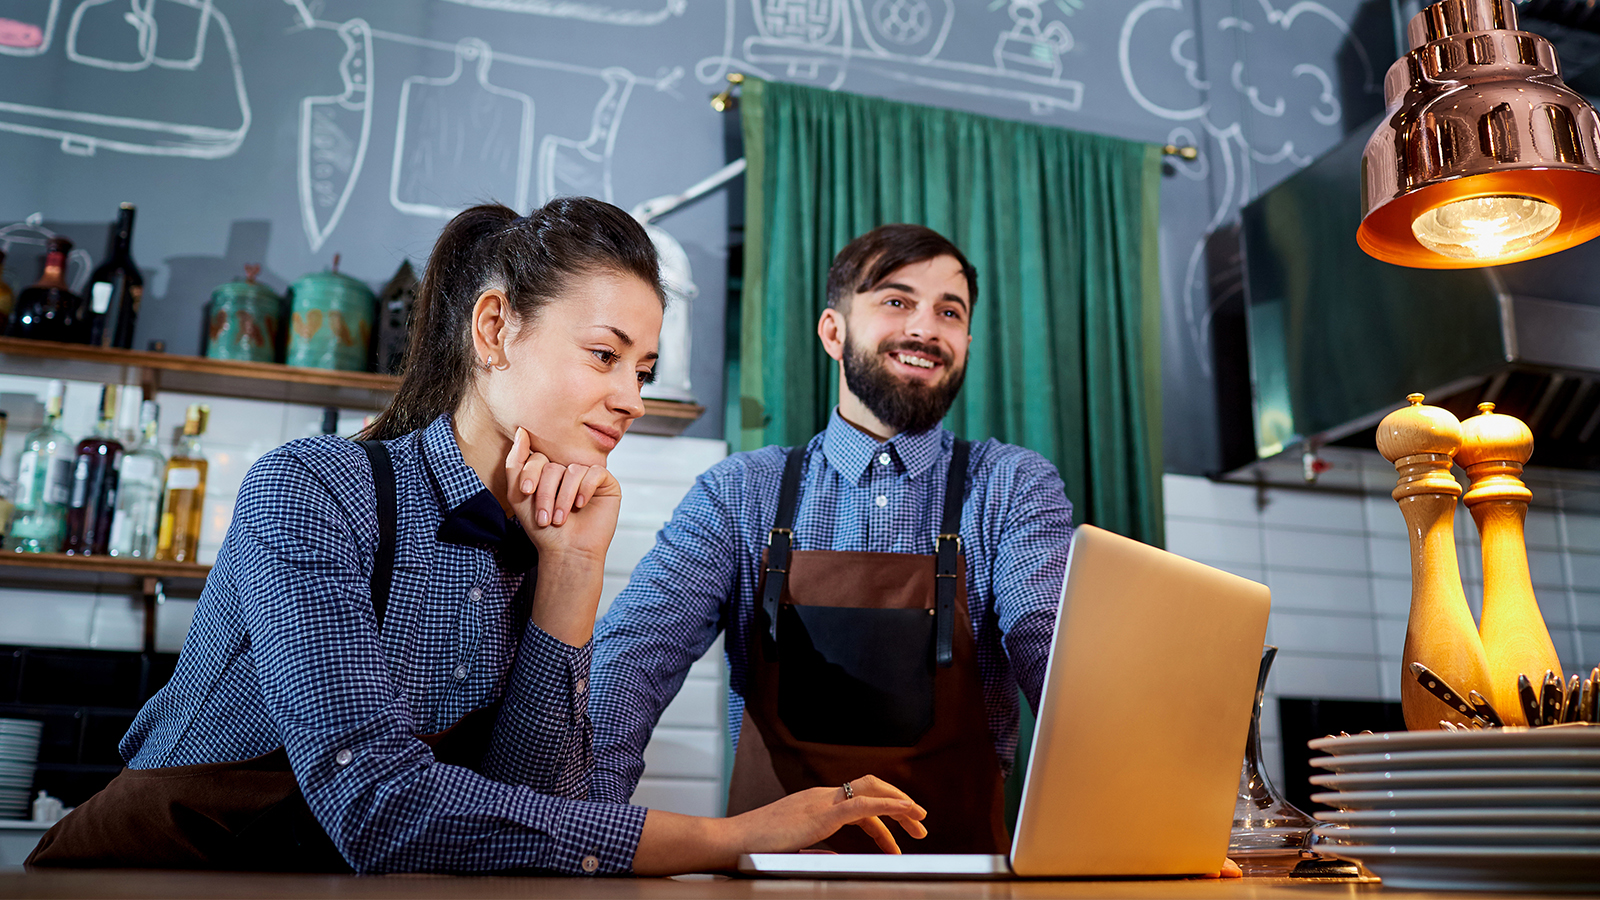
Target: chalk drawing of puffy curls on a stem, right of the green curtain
1226, 139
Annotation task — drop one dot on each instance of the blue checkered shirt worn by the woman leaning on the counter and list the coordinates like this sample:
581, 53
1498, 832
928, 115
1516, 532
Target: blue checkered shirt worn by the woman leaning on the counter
286, 651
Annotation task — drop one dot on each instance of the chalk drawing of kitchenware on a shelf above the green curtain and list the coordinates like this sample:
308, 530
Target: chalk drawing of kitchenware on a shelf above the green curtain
825, 41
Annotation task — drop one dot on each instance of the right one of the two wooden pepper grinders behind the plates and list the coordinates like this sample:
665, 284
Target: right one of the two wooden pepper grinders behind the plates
1516, 640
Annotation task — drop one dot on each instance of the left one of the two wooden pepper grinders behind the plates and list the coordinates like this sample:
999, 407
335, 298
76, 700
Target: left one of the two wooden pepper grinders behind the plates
1441, 633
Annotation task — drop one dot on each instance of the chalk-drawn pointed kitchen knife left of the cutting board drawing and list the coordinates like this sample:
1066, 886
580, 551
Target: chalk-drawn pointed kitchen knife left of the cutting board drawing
334, 137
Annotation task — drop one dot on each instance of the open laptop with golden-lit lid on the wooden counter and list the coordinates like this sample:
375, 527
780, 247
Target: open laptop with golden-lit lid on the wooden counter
1142, 729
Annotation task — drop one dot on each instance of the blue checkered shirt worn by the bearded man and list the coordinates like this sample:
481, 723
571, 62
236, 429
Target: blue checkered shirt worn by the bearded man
858, 494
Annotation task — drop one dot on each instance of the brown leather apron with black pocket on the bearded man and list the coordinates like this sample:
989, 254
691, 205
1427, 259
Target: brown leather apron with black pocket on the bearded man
865, 665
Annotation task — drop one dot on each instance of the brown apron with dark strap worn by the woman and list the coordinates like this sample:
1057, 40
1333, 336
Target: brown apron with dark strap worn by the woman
247, 816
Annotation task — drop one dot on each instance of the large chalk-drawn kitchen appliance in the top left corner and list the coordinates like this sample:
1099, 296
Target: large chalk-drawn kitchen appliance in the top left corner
204, 73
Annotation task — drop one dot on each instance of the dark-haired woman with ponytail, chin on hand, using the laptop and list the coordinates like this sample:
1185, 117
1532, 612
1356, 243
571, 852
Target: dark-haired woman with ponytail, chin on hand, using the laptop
388, 667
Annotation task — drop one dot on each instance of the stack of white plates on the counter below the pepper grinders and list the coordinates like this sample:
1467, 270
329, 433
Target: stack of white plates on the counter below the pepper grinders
1503, 810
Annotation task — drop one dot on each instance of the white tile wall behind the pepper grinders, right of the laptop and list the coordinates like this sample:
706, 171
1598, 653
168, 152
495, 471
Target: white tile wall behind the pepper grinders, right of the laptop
1340, 573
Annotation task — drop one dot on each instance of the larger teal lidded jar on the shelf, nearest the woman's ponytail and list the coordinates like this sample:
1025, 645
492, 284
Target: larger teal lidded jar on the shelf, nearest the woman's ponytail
330, 323
